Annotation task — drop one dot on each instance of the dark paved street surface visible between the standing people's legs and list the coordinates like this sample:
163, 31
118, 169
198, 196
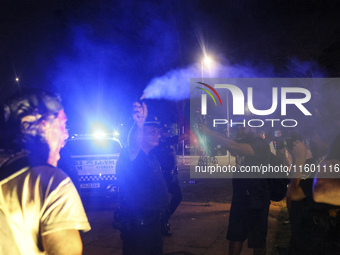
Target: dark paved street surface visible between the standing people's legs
198, 228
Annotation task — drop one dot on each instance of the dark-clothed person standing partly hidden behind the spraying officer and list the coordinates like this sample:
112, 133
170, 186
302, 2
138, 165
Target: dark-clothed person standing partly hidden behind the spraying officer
166, 155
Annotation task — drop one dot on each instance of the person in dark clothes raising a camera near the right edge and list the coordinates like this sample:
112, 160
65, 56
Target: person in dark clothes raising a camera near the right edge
312, 225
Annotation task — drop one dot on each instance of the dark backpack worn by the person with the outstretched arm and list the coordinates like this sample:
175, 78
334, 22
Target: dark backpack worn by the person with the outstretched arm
277, 185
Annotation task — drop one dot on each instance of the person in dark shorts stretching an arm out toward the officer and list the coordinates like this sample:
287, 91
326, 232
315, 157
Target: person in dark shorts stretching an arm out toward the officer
251, 196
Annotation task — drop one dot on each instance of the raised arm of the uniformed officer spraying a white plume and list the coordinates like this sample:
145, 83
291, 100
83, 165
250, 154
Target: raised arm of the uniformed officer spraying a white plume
140, 112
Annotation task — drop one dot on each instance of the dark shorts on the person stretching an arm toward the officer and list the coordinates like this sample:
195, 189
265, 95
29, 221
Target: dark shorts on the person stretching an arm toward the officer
248, 223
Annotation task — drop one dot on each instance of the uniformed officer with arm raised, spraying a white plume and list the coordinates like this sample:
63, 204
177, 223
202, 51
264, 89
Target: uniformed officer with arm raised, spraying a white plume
142, 189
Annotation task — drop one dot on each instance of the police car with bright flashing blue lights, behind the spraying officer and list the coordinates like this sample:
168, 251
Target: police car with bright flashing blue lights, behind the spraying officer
95, 158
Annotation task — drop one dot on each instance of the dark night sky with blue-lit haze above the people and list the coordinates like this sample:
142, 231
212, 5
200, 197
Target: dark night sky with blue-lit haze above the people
101, 55
